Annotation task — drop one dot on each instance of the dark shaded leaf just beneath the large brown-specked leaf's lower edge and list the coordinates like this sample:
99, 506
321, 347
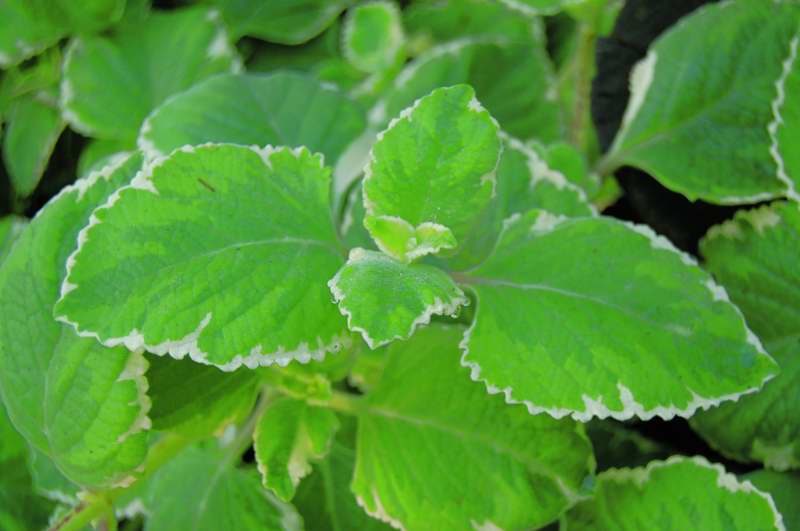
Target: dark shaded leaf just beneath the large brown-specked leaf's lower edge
196, 400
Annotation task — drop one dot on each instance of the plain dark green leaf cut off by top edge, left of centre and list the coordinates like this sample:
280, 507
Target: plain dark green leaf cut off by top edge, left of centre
284, 22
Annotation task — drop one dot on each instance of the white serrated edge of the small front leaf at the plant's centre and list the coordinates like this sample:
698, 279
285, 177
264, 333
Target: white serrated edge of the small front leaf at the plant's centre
438, 307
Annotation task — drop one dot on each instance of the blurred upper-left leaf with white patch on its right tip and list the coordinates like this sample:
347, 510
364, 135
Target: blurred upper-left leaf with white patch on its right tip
111, 83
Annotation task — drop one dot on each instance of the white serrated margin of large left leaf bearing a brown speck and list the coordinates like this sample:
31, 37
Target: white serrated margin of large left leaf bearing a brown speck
180, 348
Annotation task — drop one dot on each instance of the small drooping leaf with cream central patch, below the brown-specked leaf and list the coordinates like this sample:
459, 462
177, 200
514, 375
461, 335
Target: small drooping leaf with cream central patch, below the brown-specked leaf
289, 435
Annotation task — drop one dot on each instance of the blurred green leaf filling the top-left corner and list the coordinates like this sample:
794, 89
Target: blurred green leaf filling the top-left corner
30, 26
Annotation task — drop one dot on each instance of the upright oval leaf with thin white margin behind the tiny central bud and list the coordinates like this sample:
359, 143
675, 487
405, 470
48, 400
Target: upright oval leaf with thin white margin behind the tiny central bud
435, 163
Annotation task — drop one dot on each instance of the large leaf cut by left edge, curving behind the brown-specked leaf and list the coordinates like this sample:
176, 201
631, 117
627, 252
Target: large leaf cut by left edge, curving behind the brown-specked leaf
82, 404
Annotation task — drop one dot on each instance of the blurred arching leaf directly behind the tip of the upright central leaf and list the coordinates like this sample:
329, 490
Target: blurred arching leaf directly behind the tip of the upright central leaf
513, 80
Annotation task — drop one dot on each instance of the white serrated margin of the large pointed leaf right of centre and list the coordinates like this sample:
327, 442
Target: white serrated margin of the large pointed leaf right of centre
630, 407
